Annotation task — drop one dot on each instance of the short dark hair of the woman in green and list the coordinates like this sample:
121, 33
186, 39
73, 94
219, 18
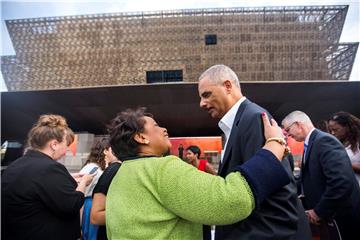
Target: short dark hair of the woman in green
122, 130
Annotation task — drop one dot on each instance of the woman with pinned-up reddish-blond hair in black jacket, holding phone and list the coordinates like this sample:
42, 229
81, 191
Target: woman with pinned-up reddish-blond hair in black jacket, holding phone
39, 198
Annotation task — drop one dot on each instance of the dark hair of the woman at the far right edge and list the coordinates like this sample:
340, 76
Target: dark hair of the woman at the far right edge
352, 123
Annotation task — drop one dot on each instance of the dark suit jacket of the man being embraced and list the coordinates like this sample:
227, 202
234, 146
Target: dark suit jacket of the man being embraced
278, 216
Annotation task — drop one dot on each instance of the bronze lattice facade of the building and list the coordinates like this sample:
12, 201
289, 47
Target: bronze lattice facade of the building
260, 44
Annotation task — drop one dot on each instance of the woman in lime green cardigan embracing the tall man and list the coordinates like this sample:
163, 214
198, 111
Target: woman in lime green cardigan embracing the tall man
156, 197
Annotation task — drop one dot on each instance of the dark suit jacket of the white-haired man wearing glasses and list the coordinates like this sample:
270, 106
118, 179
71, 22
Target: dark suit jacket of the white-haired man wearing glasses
329, 183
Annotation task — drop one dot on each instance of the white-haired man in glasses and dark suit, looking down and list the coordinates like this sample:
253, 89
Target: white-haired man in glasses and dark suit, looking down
327, 181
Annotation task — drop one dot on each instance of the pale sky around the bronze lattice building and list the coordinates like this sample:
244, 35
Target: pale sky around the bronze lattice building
30, 9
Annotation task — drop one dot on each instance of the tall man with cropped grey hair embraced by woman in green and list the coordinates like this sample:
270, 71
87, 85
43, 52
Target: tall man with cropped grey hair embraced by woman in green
280, 216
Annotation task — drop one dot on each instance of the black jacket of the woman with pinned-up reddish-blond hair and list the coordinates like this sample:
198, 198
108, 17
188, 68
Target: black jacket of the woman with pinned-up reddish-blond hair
39, 200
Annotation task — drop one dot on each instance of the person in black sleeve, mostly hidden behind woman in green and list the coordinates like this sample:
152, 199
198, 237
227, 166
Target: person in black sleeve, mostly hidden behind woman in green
97, 215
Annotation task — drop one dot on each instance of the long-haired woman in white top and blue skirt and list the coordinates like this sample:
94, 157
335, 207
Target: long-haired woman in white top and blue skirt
95, 162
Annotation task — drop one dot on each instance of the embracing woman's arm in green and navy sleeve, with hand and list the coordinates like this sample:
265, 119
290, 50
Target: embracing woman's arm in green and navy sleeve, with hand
231, 199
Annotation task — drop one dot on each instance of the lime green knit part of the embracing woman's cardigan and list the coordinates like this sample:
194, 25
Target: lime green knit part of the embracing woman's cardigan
166, 198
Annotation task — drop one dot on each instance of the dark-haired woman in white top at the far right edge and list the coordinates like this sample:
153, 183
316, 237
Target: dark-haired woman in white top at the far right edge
346, 127
